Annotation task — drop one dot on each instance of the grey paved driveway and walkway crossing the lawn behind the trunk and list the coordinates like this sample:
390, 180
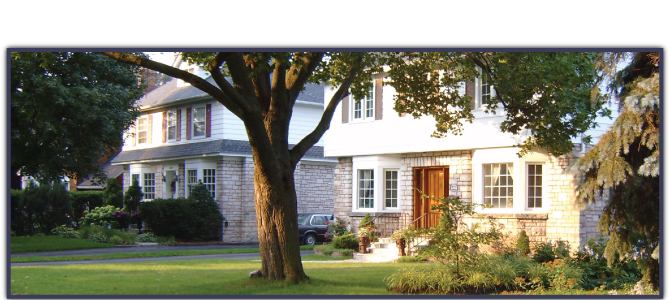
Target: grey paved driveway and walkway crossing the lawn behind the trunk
141, 248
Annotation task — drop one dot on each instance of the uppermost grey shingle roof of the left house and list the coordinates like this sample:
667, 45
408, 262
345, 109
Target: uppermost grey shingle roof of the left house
170, 92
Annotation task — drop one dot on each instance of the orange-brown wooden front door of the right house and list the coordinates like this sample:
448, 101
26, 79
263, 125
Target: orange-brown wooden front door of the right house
433, 182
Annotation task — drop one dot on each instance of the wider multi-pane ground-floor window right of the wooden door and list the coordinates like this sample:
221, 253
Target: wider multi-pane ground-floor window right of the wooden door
498, 185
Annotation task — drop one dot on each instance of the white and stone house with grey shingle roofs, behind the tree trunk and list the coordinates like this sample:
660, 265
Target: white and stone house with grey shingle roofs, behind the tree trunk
184, 136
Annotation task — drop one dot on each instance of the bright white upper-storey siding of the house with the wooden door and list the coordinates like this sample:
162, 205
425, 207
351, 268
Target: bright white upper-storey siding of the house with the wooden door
395, 134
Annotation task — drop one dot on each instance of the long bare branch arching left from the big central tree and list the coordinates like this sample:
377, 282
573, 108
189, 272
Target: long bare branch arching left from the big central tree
194, 80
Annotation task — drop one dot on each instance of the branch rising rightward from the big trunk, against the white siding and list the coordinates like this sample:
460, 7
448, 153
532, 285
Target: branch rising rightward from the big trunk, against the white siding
308, 141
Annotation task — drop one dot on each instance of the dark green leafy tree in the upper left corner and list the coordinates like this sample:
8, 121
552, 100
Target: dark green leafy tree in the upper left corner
68, 109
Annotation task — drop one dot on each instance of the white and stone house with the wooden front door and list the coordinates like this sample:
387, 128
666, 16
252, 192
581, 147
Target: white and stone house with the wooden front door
383, 158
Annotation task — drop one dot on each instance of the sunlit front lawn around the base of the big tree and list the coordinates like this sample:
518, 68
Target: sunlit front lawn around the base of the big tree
197, 277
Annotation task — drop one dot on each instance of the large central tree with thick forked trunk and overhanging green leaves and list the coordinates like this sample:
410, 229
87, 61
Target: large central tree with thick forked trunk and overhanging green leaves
265, 86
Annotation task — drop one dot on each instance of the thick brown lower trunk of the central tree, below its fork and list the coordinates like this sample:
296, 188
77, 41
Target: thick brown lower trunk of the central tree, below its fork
276, 215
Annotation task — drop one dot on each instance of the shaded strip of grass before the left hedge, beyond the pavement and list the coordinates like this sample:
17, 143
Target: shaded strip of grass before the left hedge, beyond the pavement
23, 244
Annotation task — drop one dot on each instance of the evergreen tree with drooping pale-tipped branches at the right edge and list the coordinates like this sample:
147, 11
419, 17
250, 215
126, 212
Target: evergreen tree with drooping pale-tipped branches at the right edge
625, 163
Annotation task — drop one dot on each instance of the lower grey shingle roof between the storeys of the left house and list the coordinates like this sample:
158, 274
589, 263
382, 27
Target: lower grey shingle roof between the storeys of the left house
210, 147
